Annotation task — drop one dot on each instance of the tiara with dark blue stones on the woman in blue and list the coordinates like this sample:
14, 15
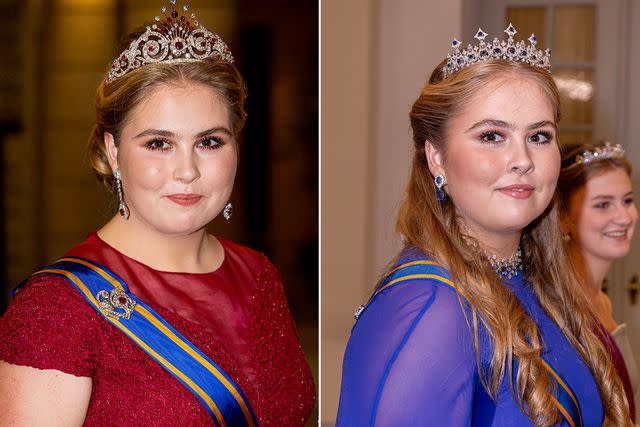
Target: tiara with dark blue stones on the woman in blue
498, 49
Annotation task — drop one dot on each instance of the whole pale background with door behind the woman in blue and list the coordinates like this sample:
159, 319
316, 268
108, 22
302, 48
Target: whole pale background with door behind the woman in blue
366, 139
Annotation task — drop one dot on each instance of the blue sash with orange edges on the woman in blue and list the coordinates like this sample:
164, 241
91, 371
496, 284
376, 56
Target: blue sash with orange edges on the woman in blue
423, 269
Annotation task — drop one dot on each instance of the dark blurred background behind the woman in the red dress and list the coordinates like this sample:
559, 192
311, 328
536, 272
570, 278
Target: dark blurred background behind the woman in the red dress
54, 54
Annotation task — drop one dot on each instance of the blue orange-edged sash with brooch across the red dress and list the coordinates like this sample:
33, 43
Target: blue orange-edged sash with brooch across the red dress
109, 295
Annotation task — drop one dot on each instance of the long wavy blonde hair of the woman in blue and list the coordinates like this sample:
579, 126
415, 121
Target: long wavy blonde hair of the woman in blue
435, 229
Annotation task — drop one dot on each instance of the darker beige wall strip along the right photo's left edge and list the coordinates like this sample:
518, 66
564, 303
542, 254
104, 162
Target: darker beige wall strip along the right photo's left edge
346, 161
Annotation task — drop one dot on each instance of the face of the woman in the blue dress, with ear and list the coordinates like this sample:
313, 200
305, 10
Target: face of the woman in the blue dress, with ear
500, 159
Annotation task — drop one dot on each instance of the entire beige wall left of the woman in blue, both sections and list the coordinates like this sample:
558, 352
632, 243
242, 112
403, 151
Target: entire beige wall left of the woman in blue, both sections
376, 56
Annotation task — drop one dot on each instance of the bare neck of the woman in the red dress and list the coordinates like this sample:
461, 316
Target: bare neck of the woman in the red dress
197, 252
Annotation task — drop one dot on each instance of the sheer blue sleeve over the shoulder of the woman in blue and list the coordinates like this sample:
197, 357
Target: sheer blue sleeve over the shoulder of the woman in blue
411, 361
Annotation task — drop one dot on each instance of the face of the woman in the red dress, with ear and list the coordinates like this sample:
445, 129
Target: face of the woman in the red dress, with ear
177, 158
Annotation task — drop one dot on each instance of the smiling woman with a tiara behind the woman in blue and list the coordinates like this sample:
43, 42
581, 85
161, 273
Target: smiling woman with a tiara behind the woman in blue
598, 220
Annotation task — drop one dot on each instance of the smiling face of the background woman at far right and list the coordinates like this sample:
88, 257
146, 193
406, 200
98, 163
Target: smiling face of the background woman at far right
602, 216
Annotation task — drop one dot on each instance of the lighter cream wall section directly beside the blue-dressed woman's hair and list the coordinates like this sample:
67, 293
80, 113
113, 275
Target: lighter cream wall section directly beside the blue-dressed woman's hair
413, 39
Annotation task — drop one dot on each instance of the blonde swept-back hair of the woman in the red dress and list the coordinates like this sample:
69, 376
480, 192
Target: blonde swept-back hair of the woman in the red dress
115, 101
